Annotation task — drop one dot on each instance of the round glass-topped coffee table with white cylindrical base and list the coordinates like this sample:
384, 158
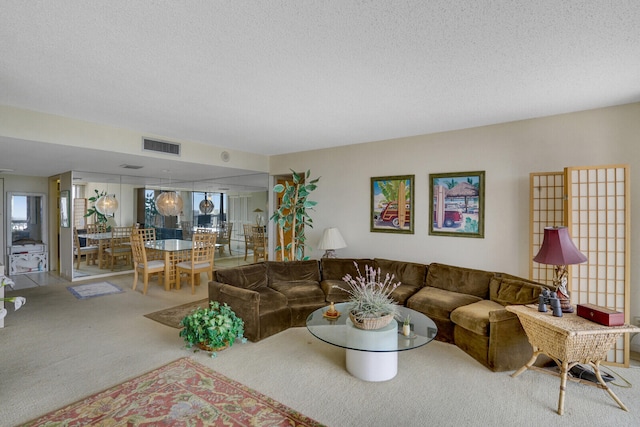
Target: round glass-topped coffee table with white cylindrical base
371, 355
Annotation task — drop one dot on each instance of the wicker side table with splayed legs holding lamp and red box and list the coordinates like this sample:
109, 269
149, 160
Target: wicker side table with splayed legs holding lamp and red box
568, 340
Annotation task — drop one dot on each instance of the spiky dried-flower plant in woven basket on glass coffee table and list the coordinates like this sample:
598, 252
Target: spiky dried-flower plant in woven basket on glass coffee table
371, 305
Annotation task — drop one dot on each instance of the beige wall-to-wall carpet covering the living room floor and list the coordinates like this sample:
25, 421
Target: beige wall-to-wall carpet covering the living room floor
57, 349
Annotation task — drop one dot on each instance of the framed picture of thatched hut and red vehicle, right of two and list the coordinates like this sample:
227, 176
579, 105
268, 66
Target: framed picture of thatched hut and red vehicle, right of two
456, 204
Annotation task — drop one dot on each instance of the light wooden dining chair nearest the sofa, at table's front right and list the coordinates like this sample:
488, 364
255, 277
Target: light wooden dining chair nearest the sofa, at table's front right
202, 254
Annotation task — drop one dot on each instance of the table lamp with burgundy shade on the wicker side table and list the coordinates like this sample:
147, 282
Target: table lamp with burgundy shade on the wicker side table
558, 249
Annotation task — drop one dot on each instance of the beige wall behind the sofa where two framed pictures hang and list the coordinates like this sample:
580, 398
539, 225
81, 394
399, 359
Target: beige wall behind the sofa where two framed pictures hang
507, 152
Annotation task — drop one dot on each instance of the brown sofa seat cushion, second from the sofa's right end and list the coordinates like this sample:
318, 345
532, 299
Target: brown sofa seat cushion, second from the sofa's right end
439, 302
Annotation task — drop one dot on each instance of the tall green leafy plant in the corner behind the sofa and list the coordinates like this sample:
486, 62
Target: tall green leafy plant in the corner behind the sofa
292, 217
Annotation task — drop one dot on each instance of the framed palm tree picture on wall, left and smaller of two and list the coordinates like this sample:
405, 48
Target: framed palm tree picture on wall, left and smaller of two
392, 204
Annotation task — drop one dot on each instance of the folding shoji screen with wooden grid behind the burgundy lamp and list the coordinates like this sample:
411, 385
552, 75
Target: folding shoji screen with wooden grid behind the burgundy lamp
594, 203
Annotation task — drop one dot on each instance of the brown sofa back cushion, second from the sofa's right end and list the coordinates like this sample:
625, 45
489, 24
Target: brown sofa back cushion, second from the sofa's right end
459, 279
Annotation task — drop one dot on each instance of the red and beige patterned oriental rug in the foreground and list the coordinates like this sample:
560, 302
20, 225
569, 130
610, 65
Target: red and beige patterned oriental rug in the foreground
181, 393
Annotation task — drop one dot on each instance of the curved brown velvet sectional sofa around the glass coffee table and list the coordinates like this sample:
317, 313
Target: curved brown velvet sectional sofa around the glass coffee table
467, 305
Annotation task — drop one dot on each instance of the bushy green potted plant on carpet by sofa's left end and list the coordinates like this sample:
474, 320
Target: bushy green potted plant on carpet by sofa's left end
212, 328
